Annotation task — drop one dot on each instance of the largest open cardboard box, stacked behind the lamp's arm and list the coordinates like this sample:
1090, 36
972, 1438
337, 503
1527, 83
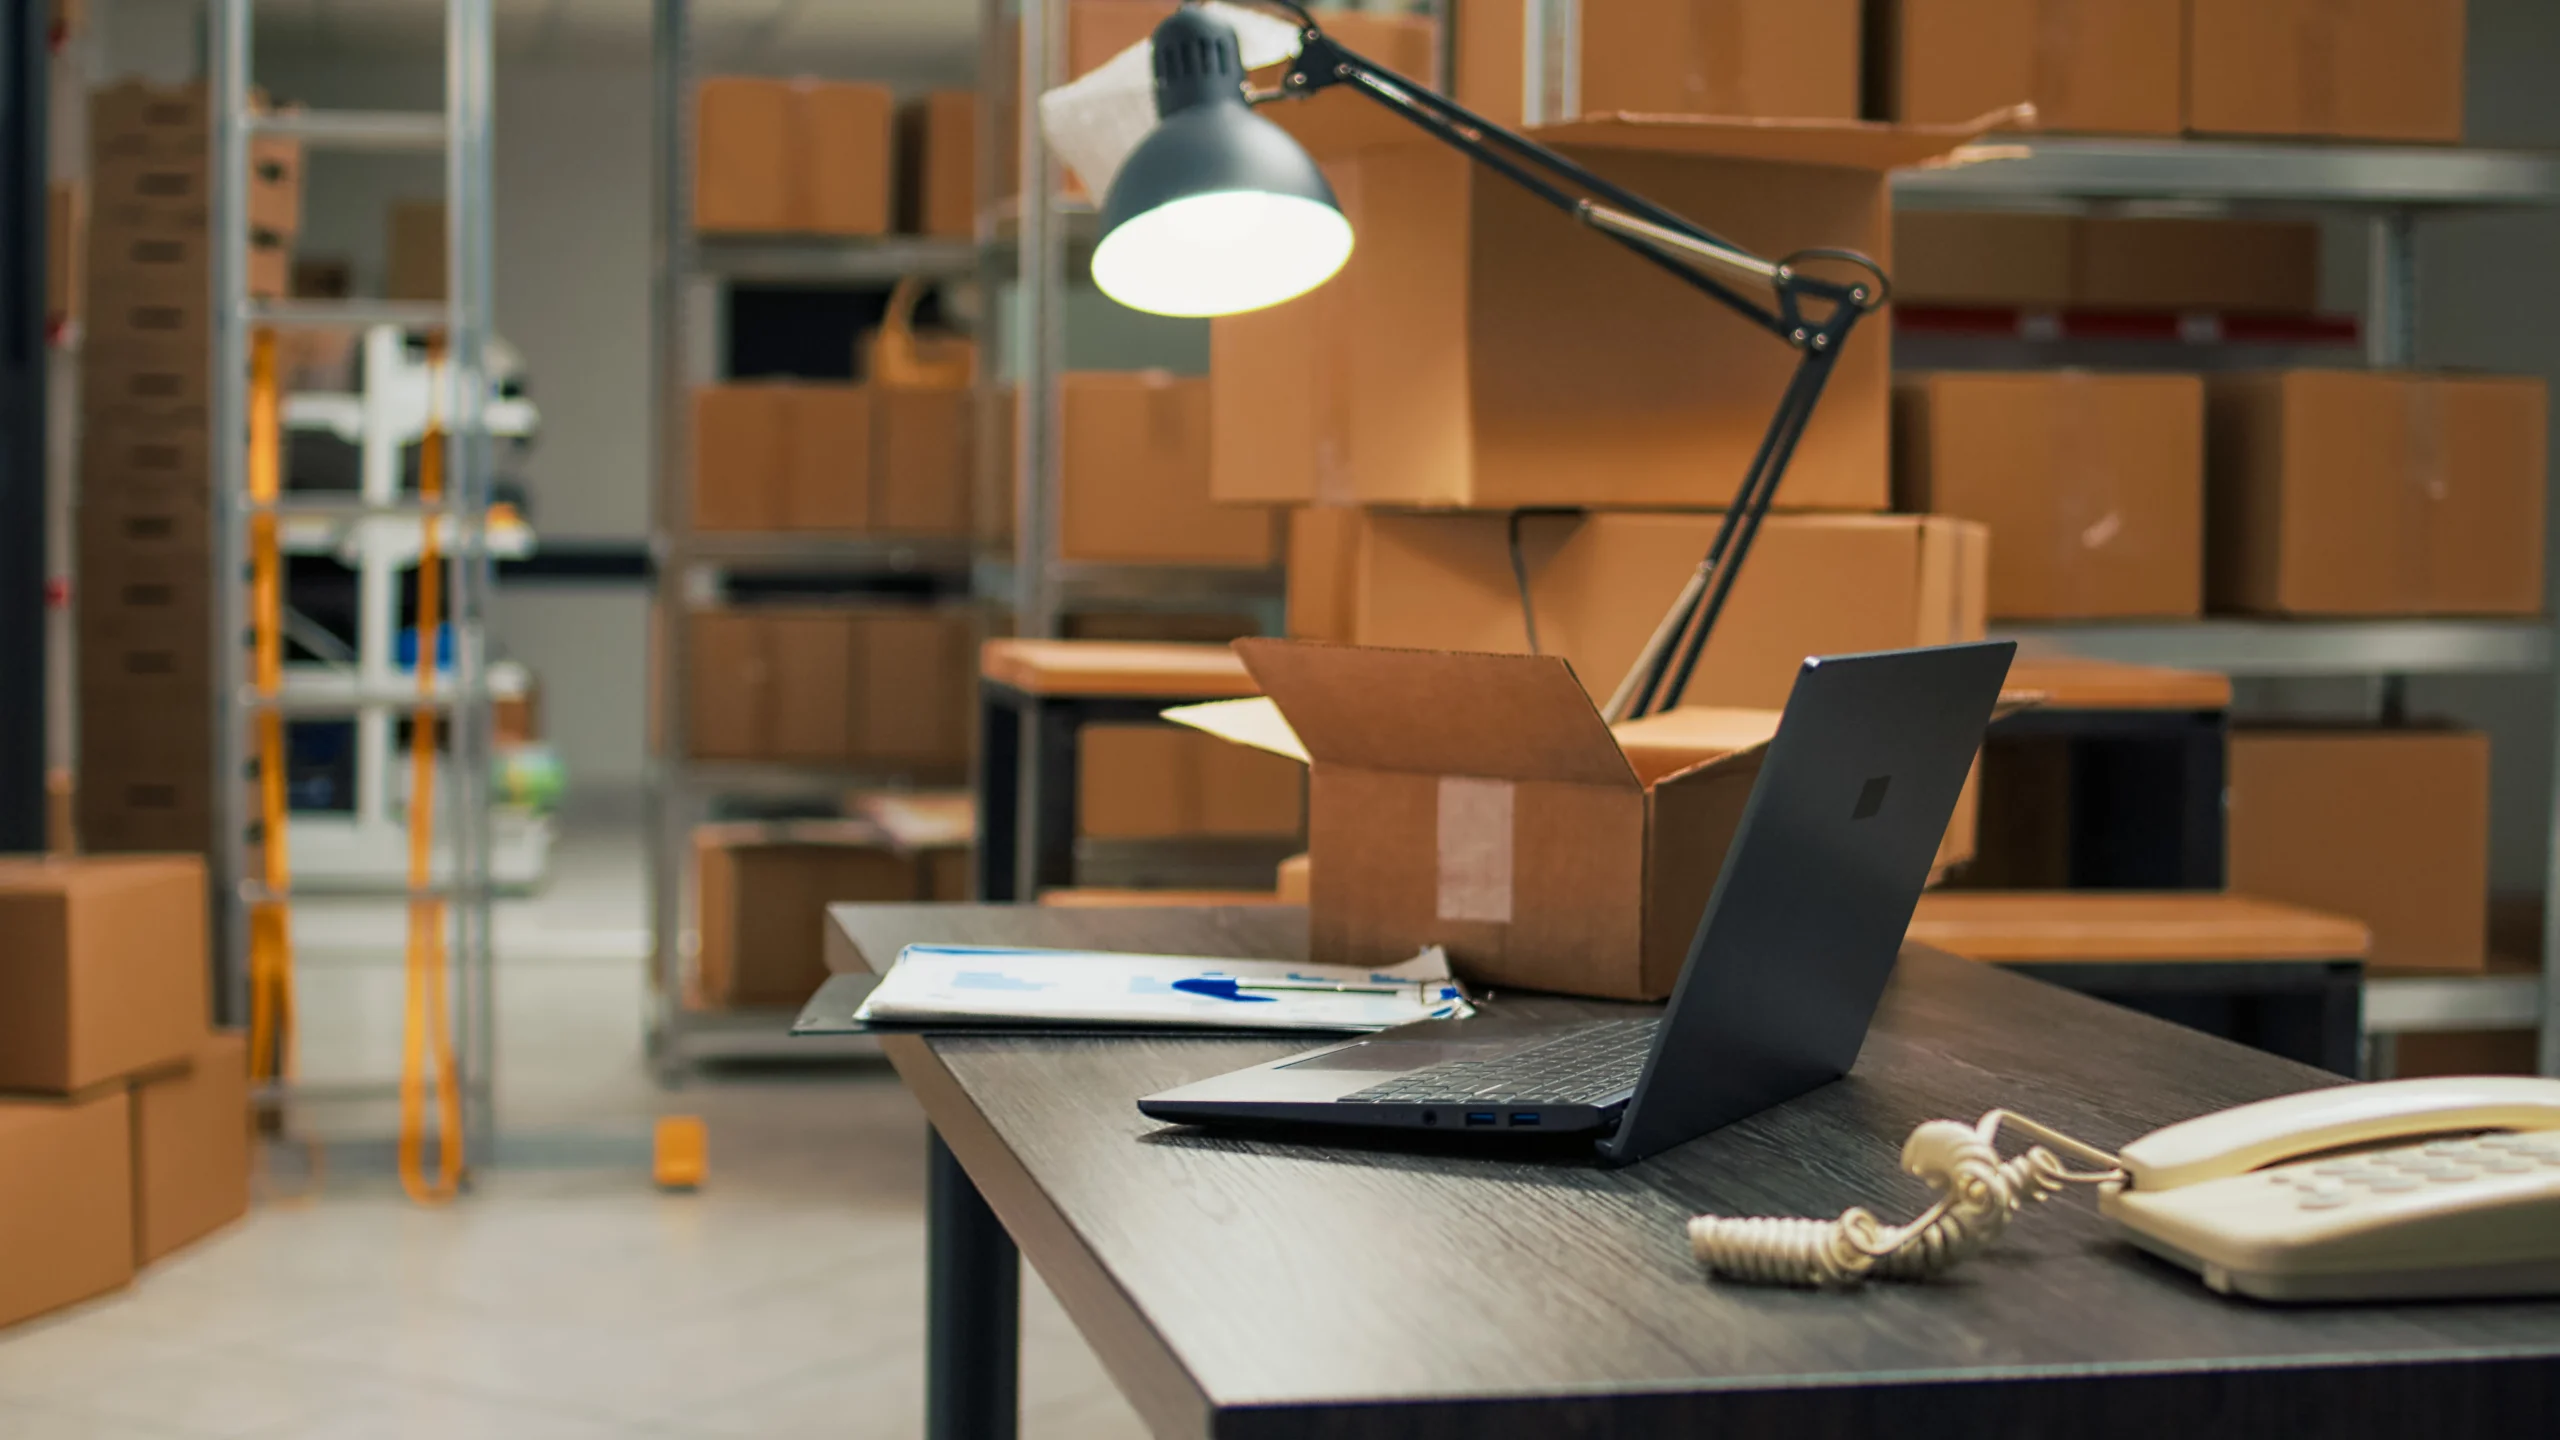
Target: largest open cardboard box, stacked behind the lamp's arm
1486, 352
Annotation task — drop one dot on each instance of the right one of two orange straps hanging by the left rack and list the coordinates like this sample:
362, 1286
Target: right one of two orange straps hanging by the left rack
429, 1039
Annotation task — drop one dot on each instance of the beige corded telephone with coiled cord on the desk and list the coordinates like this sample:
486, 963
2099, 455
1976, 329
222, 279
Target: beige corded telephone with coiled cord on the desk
2400, 1190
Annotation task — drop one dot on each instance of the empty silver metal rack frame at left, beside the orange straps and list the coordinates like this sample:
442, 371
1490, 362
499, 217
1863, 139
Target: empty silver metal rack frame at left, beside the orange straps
378, 691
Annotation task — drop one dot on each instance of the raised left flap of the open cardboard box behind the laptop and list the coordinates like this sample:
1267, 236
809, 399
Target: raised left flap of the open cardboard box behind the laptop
1437, 711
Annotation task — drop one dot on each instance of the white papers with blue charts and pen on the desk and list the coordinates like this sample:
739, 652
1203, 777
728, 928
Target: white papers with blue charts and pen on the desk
995, 985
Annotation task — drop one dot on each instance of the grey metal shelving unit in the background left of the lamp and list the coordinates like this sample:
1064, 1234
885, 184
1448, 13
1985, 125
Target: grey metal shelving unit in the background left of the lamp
1023, 252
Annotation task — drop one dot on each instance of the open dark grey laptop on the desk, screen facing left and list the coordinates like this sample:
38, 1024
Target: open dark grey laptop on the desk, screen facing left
1780, 983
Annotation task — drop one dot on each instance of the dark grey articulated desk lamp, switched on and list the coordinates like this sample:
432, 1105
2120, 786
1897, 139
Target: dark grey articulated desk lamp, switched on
1220, 211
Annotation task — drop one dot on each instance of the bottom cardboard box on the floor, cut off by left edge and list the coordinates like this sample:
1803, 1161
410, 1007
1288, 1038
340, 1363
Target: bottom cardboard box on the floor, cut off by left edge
65, 1203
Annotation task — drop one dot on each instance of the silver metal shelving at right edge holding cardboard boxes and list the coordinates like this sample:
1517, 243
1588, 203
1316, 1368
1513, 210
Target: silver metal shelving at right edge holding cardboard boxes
2392, 188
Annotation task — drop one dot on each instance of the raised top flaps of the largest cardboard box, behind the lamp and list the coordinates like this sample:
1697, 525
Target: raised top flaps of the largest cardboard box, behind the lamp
1834, 145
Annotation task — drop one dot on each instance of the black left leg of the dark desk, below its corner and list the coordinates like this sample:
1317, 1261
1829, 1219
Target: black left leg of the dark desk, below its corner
972, 1311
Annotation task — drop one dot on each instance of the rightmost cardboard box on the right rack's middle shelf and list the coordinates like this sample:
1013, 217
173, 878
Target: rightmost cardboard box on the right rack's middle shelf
2374, 493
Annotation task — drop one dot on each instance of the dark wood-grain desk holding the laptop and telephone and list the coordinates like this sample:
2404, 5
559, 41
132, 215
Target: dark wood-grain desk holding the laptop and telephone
1256, 1288
